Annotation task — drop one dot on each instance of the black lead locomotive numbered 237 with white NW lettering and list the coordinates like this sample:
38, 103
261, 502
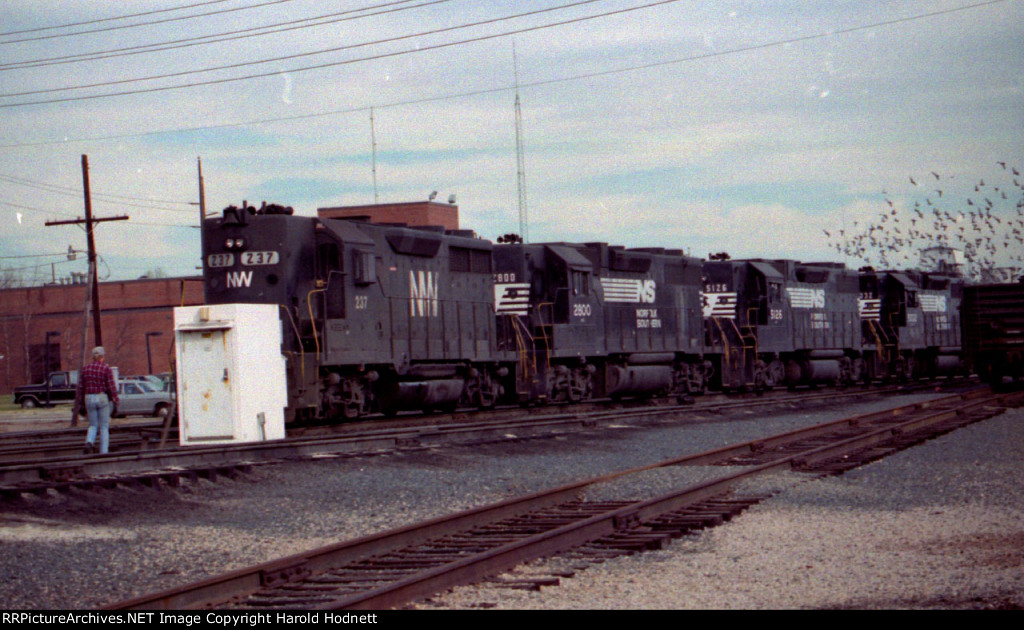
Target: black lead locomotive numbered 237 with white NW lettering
376, 318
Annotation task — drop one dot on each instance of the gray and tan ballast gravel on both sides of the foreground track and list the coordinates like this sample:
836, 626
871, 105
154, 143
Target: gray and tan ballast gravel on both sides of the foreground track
938, 526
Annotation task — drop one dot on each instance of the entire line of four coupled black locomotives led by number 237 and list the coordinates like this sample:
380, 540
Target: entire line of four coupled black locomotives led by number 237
381, 318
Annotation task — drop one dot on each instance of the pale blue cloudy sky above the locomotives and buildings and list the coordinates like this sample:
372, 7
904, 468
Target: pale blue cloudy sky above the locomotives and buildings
749, 128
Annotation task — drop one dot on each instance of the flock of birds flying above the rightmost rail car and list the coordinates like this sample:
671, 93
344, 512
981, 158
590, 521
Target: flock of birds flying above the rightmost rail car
986, 222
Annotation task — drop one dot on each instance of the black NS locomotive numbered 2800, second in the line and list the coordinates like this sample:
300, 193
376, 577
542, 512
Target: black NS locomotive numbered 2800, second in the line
593, 320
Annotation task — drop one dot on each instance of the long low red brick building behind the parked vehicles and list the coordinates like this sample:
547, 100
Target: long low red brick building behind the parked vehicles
135, 313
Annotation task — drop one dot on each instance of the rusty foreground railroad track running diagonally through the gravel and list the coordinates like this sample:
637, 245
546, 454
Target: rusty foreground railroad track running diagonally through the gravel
395, 568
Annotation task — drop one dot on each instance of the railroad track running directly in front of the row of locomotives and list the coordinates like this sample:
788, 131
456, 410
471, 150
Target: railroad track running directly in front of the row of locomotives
134, 461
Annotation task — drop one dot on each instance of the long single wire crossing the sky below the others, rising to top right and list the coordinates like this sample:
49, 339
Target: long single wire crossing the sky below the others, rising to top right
507, 89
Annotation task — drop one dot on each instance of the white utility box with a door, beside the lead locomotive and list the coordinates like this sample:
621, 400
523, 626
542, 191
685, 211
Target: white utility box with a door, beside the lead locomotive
232, 382
